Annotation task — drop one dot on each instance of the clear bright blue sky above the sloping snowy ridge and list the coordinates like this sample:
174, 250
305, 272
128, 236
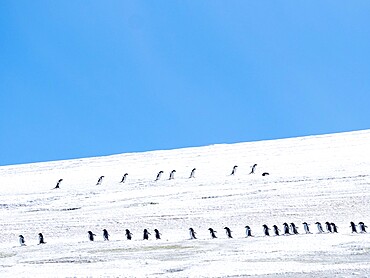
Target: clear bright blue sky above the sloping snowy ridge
91, 78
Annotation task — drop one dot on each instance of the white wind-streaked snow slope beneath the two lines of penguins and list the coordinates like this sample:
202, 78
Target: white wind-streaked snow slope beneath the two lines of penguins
316, 178
